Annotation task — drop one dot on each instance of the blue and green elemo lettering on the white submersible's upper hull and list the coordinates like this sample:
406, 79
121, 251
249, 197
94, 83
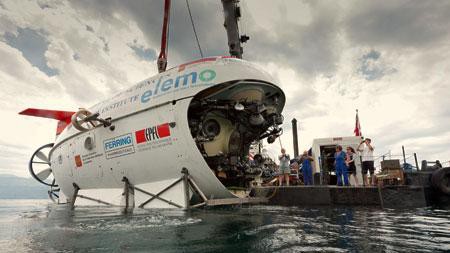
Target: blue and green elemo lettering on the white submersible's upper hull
186, 80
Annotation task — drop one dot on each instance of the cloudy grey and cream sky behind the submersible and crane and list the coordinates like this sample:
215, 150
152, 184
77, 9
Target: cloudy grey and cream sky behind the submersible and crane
388, 59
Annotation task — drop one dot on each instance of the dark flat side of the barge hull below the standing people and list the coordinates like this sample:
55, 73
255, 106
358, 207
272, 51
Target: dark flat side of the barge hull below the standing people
400, 196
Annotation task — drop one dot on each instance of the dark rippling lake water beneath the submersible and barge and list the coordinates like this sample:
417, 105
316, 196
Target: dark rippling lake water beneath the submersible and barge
39, 226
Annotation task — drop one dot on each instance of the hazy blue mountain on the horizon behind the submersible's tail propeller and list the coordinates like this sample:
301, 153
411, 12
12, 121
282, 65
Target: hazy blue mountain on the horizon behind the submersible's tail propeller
13, 187
